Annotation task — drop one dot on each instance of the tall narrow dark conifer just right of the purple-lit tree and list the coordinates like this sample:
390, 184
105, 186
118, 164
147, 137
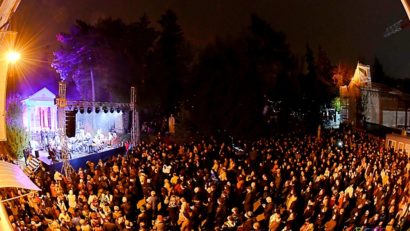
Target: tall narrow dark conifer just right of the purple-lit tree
169, 64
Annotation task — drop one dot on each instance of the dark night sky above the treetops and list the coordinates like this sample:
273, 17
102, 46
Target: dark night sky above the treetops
346, 29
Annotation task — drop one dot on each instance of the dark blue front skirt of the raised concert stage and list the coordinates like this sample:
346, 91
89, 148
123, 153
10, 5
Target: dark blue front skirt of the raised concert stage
79, 160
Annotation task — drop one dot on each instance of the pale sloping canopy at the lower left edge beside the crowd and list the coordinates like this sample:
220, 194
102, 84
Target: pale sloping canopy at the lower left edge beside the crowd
11, 176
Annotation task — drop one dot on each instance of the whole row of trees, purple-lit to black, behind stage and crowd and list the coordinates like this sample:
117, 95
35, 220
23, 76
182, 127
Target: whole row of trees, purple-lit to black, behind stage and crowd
223, 87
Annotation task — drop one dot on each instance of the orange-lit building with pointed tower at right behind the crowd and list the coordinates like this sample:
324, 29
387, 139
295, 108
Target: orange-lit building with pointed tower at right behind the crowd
365, 102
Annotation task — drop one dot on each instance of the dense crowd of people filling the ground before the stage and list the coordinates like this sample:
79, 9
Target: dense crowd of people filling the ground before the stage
343, 180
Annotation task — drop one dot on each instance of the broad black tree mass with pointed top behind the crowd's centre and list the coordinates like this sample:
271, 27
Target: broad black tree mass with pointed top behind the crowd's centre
235, 75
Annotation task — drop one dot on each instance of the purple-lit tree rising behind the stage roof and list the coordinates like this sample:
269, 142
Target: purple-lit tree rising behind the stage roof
101, 56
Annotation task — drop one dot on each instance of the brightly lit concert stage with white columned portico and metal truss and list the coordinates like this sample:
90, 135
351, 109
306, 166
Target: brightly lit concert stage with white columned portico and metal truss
90, 131
